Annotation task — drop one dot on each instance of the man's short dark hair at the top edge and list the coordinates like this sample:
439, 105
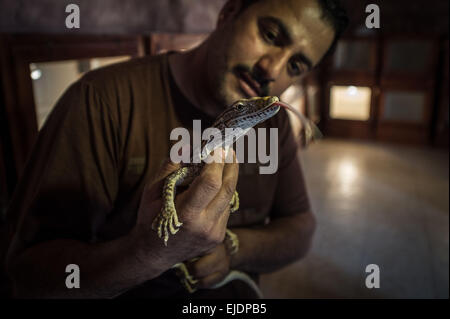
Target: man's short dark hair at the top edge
332, 12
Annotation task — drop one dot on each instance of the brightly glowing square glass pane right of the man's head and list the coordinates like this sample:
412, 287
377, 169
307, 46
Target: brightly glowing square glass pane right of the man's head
350, 102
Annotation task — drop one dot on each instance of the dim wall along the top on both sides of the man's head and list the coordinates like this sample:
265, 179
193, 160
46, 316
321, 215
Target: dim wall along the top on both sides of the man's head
140, 16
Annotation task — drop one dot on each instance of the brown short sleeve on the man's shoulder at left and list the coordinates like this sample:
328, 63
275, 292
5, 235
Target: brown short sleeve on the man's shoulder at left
70, 180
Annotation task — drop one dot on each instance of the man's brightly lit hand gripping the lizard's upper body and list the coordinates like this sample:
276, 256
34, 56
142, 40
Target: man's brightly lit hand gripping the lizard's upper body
203, 209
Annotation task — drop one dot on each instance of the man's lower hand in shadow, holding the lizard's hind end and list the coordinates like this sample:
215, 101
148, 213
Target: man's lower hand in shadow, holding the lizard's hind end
211, 268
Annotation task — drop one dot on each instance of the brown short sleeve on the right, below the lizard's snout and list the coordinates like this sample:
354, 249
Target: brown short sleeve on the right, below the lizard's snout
291, 196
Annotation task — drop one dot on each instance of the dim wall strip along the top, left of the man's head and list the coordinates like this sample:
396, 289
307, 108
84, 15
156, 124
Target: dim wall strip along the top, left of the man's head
110, 16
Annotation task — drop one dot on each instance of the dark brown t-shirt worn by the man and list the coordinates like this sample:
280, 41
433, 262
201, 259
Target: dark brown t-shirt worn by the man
106, 138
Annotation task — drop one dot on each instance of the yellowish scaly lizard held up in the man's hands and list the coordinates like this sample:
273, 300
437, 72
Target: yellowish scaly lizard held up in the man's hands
243, 114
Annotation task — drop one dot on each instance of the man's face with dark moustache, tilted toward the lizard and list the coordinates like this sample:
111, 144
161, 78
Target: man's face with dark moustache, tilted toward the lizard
266, 48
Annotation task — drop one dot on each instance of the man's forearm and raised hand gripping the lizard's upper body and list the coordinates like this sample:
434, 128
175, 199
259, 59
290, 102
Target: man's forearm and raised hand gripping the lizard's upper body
112, 267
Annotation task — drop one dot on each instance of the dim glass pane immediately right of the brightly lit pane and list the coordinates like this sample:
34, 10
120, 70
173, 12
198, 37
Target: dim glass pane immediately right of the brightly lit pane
404, 106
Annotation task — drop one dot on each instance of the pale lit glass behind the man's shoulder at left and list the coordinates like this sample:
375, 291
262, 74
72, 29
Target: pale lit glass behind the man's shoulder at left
50, 80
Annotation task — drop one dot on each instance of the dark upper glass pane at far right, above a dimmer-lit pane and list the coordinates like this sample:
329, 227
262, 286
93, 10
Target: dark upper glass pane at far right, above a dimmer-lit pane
408, 56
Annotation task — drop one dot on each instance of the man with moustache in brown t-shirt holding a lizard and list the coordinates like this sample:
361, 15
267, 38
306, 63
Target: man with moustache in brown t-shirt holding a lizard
92, 186
